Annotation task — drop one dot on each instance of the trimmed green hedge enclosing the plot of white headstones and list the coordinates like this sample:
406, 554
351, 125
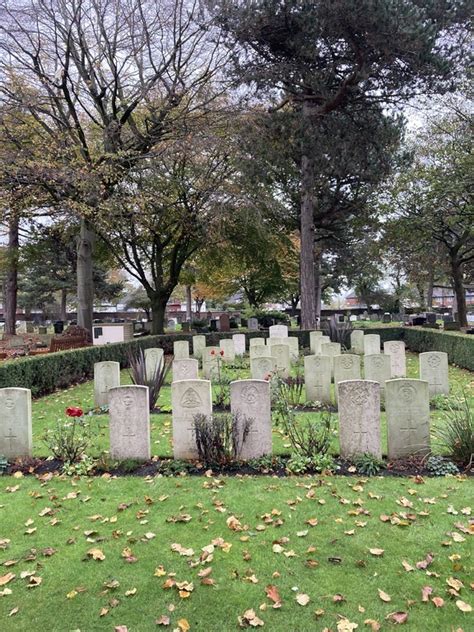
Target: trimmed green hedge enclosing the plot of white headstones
53, 371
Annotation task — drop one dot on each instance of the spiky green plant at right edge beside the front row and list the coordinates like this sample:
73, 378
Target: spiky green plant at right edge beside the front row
456, 433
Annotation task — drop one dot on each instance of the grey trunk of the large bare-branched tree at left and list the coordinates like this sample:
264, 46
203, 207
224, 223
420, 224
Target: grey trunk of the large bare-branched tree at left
85, 281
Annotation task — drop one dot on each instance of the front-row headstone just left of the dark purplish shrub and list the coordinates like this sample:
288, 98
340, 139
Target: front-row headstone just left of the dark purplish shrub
188, 399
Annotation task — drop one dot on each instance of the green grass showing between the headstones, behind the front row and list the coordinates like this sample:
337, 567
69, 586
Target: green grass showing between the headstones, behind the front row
48, 410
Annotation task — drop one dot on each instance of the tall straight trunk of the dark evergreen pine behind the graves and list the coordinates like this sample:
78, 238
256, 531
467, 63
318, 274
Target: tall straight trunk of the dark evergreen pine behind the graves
307, 277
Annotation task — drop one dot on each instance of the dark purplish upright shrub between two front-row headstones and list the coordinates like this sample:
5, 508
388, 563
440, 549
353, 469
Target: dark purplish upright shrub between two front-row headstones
220, 437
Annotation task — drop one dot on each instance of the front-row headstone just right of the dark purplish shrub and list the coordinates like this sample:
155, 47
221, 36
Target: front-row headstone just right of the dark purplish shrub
250, 406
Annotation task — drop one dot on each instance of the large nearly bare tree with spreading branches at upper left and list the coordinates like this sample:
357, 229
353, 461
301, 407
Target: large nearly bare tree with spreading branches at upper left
103, 81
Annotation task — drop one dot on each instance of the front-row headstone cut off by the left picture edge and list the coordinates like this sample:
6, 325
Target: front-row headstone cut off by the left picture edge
15, 422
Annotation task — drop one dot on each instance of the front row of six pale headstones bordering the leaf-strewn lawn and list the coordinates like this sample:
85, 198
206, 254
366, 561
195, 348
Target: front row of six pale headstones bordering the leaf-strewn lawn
406, 403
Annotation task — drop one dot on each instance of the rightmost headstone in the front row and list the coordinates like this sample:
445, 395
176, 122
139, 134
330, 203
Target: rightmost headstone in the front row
407, 405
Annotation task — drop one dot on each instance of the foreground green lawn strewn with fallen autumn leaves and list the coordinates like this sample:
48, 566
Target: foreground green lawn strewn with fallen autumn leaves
50, 529
